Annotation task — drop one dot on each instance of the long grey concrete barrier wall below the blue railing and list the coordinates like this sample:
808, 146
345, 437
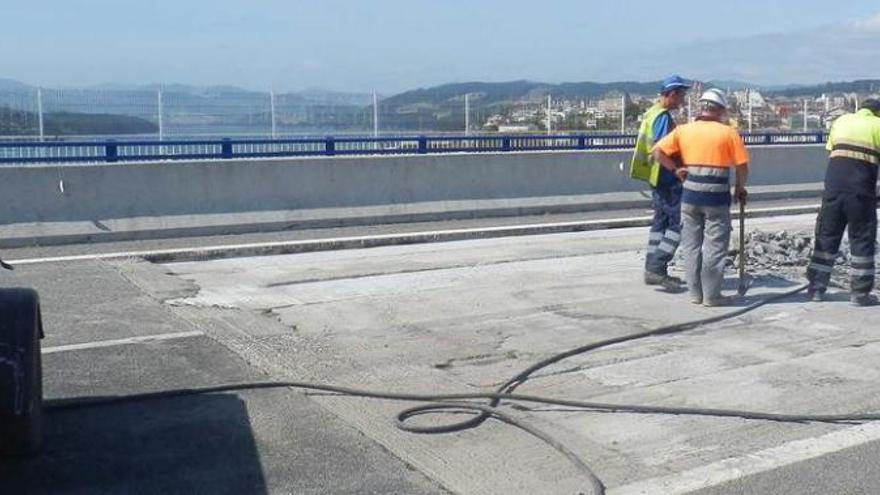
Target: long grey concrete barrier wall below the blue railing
146, 197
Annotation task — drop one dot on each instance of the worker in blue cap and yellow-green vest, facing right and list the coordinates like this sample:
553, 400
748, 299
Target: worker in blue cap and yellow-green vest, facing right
665, 233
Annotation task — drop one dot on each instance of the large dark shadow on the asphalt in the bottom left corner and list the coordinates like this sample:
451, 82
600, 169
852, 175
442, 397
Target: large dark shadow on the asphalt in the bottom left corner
200, 444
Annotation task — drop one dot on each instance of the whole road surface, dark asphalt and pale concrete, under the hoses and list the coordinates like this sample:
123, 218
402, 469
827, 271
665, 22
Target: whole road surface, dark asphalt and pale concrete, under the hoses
459, 317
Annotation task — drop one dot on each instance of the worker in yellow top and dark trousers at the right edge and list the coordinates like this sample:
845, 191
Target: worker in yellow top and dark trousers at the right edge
849, 203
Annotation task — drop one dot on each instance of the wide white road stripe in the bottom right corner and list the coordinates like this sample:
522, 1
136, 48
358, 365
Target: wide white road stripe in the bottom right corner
753, 463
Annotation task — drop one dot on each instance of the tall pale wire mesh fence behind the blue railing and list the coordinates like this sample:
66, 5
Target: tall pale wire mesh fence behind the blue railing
184, 112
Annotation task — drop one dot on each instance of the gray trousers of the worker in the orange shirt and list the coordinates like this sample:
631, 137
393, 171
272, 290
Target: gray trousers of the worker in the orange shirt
705, 236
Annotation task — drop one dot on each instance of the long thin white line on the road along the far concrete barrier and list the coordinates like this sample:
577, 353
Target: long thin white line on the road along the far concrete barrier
373, 240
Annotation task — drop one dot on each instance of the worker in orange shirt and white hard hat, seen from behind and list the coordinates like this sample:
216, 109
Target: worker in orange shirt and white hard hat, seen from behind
702, 154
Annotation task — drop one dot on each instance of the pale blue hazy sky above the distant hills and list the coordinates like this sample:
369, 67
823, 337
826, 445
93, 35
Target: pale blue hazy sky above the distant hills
395, 45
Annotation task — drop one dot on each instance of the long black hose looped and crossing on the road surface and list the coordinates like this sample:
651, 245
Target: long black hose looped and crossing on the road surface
438, 403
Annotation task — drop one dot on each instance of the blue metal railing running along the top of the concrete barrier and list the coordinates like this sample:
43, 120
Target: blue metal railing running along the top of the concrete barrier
110, 151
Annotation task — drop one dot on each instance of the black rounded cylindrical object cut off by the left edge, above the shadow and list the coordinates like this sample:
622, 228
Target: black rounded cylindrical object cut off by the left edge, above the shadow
21, 382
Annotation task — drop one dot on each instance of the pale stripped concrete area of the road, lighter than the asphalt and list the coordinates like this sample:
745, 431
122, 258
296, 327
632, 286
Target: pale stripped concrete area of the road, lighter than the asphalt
418, 318
